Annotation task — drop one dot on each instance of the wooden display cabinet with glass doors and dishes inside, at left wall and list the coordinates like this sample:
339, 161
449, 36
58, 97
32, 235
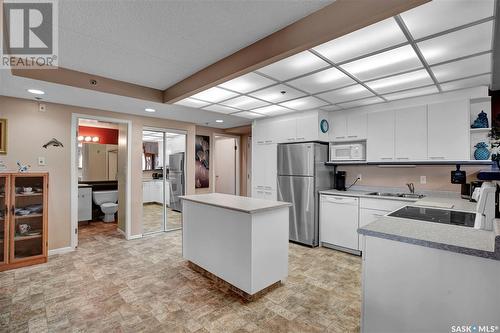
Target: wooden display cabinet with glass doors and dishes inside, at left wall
23, 219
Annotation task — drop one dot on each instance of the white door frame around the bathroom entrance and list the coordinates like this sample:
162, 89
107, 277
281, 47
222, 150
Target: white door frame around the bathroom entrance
75, 117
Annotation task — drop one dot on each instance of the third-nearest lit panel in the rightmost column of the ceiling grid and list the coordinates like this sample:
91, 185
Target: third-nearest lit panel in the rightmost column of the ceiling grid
463, 68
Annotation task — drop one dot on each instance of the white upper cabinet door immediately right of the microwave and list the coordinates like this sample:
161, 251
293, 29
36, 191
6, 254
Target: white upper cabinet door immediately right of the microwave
380, 137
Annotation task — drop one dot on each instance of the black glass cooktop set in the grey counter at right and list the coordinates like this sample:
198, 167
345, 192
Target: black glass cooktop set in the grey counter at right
445, 216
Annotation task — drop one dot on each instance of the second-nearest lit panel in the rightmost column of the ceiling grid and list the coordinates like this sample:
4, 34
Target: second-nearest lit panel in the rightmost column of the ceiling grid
458, 44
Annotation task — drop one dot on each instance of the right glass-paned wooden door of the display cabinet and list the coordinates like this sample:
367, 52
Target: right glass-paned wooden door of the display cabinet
28, 225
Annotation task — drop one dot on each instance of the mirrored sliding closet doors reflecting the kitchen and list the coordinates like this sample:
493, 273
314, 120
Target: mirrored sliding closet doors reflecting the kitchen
163, 174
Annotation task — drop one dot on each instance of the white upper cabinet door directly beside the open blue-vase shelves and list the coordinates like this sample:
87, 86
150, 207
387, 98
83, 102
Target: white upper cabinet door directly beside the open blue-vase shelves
448, 131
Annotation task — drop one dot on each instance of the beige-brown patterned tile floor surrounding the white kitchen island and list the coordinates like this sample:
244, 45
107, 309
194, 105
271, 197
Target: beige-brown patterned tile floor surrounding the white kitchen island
144, 285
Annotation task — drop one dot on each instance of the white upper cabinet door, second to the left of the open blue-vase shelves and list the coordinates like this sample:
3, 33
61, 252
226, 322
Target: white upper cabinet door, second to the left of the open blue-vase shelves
410, 140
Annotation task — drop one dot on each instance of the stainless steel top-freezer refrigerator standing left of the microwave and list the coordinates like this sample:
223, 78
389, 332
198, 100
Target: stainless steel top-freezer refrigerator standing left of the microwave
301, 174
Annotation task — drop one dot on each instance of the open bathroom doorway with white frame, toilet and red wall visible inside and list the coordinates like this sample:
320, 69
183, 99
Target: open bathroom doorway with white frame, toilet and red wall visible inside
100, 174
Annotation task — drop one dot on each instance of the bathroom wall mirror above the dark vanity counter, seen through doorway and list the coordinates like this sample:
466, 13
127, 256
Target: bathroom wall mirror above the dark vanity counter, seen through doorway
98, 162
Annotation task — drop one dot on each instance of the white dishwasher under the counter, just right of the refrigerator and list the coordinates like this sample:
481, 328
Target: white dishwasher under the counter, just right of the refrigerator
339, 220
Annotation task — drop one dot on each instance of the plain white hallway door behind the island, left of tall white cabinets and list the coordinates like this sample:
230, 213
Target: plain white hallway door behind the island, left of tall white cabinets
226, 160
